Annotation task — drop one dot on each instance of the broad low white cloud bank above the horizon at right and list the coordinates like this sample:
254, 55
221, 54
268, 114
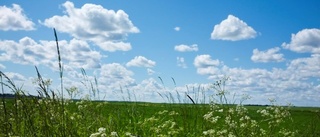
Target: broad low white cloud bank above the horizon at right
289, 84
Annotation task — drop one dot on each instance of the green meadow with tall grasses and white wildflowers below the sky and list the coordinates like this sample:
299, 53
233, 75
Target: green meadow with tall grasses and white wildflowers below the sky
49, 114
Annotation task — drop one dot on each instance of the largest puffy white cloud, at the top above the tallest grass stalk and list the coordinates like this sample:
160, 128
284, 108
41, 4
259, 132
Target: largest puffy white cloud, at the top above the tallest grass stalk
106, 28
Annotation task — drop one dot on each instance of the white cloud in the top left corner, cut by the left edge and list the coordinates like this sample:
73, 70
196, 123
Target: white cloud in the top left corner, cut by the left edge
14, 19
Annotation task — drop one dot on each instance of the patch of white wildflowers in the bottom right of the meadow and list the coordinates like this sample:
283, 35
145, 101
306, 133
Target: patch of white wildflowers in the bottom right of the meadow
237, 121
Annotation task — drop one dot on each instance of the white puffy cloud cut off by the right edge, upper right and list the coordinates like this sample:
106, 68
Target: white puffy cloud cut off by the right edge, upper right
305, 41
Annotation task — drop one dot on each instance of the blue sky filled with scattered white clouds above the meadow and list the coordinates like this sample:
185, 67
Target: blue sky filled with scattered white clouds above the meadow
161, 51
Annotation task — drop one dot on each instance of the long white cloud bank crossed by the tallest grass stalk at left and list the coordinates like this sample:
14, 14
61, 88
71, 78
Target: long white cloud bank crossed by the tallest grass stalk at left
75, 54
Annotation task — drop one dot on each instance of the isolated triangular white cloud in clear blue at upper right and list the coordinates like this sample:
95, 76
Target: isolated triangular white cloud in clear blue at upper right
233, 29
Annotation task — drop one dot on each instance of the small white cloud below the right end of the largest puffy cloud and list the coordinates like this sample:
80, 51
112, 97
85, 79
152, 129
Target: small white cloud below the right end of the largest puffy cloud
140, 61
